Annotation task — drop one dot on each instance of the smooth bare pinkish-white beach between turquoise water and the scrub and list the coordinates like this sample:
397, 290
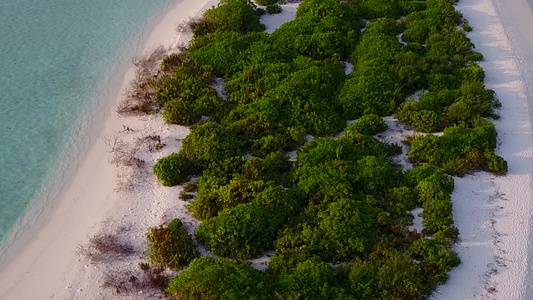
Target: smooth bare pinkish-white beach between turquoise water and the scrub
42, 262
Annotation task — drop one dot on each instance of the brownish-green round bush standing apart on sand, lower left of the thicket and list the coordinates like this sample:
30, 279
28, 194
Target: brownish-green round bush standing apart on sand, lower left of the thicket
171, 246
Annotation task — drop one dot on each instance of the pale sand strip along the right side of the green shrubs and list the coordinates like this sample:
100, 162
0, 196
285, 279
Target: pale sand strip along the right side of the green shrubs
493, 213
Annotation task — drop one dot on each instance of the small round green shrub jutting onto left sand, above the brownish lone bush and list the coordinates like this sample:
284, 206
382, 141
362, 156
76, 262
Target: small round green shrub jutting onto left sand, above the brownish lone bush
173, 169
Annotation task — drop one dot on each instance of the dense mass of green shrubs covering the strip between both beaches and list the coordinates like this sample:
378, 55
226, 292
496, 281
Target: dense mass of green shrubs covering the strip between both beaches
337, 218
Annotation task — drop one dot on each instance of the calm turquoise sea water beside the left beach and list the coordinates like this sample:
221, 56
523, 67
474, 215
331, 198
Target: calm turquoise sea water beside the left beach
55, 59
